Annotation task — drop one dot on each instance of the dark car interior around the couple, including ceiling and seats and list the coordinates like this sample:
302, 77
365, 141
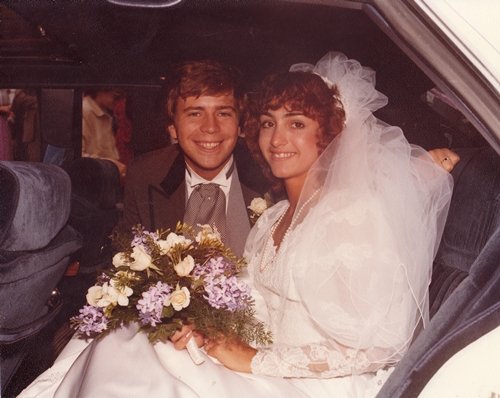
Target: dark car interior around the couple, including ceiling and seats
57, 209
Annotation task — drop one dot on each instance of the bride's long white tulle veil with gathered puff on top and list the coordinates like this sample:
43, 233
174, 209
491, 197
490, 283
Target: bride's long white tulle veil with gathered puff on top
360, 253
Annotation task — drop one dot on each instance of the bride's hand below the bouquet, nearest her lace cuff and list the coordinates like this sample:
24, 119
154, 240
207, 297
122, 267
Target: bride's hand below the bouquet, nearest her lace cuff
234, 354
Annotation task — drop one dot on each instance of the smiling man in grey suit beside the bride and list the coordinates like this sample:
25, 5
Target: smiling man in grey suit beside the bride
204, 110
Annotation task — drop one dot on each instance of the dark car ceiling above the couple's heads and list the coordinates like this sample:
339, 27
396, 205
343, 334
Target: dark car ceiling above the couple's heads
107, 43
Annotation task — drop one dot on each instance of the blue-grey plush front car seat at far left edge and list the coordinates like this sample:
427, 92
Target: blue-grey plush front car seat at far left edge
35, 247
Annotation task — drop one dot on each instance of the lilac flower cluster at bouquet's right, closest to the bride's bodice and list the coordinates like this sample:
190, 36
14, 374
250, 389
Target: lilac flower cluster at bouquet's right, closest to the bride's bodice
224, 290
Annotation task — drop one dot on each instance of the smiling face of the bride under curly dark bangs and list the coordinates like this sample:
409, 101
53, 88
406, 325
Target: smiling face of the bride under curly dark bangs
288, 141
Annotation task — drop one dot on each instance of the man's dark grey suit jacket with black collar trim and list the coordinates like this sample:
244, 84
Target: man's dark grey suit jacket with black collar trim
155, 189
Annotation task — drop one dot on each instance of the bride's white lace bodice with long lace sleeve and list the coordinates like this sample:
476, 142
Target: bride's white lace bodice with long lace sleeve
301, 348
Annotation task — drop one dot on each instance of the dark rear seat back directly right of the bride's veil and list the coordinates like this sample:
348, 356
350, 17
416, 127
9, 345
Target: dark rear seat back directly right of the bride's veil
474, 215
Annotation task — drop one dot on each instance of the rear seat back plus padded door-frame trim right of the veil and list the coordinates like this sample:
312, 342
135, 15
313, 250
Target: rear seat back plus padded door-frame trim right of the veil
465, 292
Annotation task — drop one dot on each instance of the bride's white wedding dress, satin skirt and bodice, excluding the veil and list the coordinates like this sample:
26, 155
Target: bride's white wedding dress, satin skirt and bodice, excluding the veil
124, 364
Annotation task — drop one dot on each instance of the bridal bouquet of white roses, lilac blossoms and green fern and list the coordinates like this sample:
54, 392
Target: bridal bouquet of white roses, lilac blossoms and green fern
162, 280
